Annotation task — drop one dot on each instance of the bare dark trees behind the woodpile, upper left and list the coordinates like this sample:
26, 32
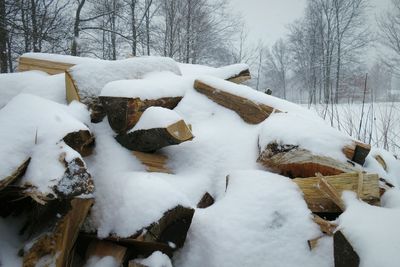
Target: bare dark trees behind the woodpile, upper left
191, 31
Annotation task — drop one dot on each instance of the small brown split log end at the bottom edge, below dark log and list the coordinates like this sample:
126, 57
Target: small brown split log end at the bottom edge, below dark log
102, 248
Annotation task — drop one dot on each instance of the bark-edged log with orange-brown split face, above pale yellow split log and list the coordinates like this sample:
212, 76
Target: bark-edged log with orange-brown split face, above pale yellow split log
293, 161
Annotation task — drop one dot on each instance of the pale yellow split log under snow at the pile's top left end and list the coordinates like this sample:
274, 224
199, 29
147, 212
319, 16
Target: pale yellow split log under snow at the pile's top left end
49, 66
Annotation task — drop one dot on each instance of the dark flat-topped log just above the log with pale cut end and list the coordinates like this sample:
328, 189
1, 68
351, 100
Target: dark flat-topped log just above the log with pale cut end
123, 113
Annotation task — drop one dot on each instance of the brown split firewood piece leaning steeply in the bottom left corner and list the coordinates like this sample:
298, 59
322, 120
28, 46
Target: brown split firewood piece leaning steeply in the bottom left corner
53, 248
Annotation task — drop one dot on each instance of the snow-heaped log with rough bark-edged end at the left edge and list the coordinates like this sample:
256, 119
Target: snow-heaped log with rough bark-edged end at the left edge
34, 128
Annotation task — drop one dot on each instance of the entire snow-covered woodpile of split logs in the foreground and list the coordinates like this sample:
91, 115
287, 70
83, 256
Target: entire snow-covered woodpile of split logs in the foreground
189, 168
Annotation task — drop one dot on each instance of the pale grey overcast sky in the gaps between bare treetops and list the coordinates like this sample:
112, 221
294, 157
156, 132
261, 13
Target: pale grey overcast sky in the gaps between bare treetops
267, 19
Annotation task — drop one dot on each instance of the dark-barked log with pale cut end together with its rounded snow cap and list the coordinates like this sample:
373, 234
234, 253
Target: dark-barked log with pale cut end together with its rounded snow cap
158, 127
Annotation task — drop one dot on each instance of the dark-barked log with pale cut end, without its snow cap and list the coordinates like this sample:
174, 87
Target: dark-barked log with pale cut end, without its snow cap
150, 140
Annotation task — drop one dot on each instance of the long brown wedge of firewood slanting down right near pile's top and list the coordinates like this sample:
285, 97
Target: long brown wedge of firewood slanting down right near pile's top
250, 111
